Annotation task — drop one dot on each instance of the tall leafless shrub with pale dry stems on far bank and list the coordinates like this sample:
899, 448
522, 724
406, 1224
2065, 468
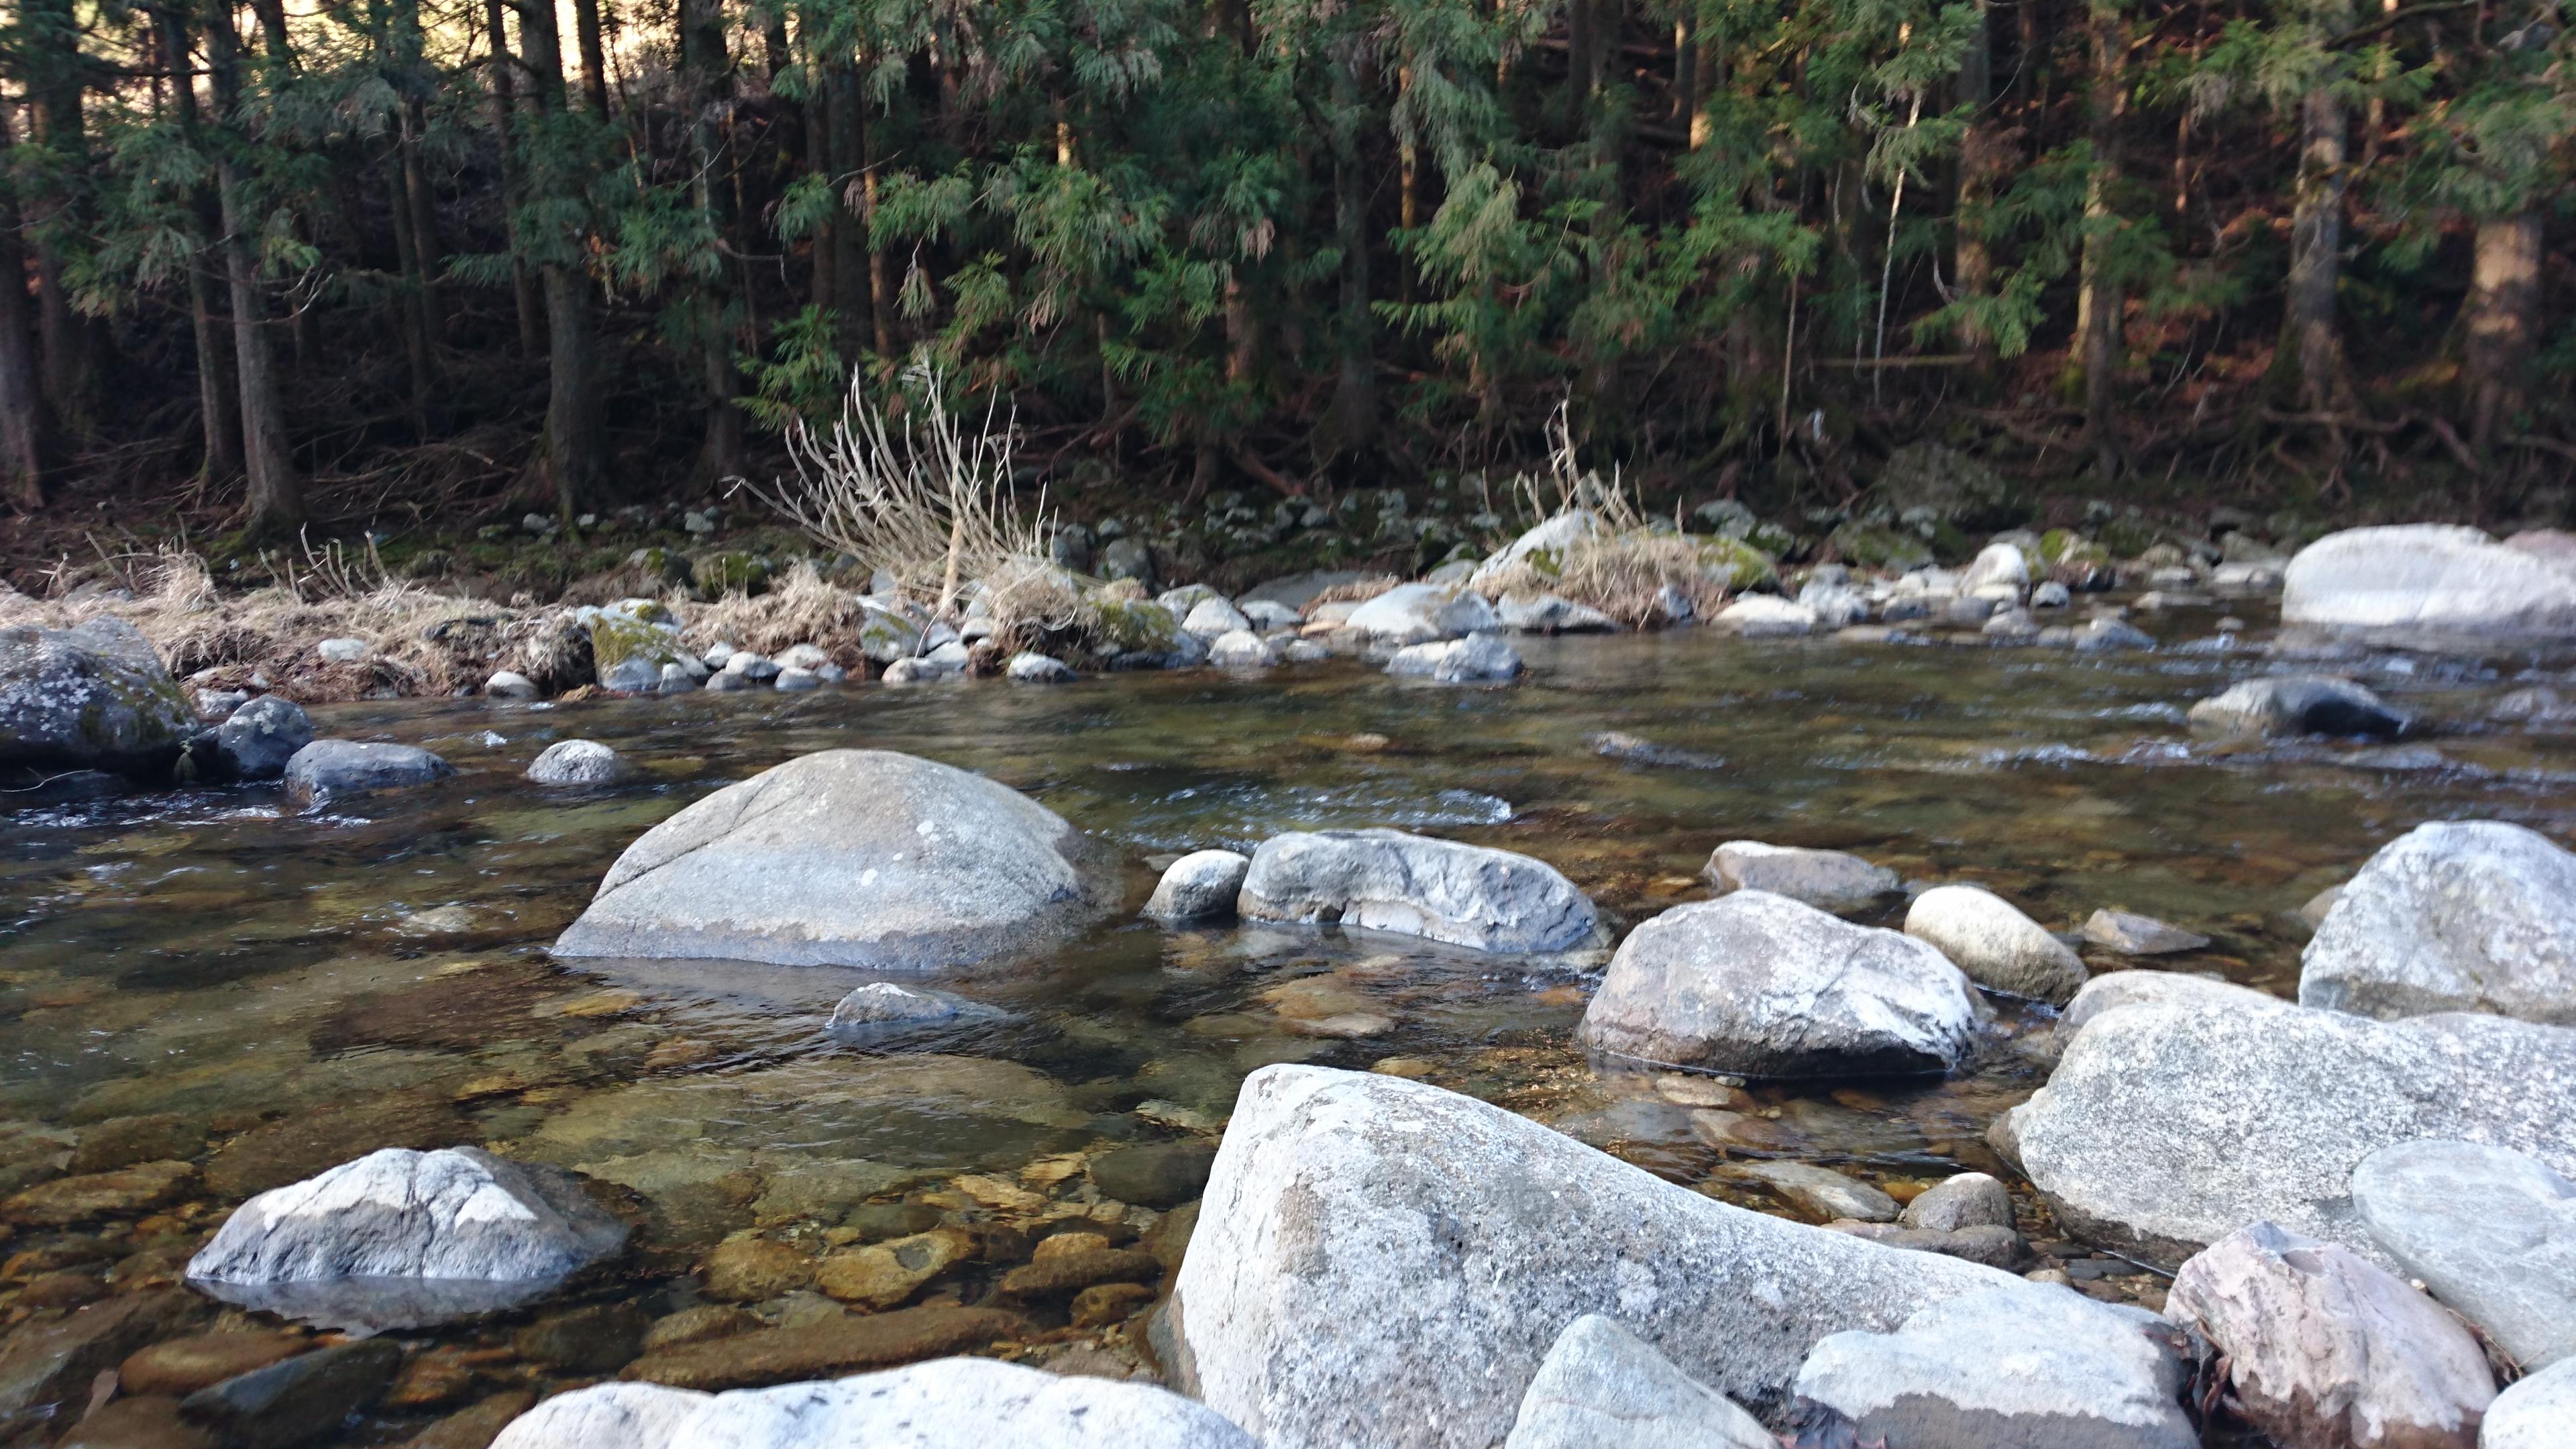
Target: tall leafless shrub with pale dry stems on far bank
918, 496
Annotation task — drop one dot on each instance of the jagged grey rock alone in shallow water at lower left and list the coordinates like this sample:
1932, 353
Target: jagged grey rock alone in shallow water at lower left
406, 1236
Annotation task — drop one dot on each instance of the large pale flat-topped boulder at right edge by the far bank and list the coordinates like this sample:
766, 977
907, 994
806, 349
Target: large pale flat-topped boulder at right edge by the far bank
2428, 581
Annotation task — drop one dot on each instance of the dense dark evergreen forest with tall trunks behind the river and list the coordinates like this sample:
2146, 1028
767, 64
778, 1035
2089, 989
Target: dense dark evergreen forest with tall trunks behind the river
408, 257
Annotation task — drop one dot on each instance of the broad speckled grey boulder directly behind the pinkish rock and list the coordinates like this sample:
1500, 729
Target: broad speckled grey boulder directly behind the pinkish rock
2170, 1125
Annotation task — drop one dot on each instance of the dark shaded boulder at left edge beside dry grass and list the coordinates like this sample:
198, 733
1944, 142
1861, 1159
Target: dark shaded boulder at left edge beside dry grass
89, 697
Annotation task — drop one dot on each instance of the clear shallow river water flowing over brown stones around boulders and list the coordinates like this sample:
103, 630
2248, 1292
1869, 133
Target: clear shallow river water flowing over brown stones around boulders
274, 994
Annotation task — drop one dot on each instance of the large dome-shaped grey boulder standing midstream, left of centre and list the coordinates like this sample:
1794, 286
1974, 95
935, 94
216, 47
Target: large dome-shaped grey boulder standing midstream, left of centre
851, 860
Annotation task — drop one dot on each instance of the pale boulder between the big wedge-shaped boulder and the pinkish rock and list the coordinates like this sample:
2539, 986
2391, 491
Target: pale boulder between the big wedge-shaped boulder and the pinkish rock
2013, 1368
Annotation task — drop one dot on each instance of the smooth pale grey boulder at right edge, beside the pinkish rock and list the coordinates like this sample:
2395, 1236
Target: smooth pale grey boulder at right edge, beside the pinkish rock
2490, 1231
